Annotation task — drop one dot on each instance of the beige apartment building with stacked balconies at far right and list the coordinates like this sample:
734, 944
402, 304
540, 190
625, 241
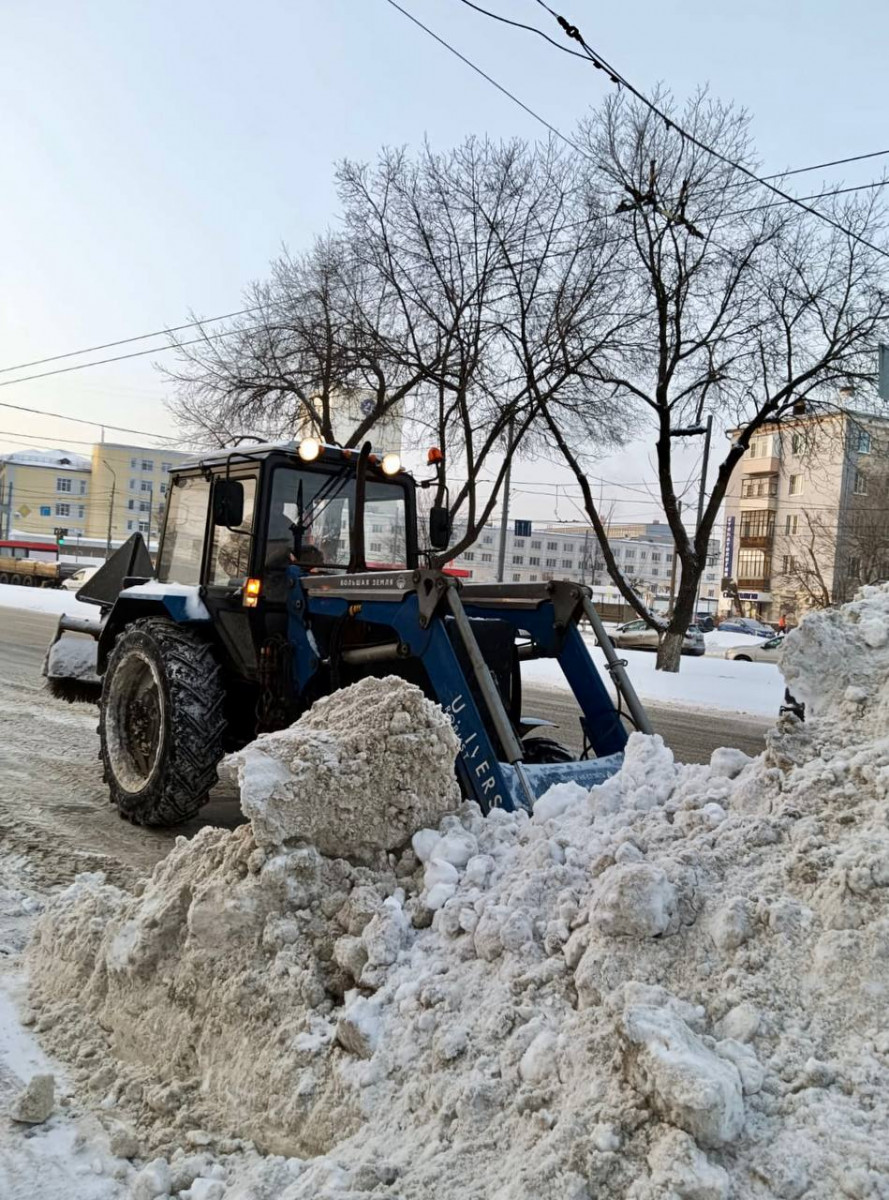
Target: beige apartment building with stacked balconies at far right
807, 514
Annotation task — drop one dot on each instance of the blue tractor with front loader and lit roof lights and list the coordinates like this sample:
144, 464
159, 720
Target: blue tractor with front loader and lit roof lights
289, 572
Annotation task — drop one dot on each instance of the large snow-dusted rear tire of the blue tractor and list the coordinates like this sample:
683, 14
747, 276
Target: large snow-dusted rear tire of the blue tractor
161, 723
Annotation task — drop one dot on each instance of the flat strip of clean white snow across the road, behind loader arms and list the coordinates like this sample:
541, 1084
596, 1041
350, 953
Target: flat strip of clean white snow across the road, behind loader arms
701, 683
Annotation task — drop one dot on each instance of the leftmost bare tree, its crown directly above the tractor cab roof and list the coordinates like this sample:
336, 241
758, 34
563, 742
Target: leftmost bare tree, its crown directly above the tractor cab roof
321, 328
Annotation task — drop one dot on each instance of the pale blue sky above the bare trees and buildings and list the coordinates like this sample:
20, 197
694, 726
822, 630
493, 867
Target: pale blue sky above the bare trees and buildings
158, 155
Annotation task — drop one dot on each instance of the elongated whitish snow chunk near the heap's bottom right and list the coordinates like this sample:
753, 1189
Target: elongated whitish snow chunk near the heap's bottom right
687, 1084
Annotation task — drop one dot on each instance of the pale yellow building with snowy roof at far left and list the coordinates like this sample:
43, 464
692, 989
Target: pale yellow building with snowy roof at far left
45, 490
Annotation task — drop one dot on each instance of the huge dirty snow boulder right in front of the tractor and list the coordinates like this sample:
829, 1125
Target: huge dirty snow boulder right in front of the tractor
358, 775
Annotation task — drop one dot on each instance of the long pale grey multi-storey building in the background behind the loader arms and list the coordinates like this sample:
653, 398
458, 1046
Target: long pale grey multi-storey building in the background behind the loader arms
573, 553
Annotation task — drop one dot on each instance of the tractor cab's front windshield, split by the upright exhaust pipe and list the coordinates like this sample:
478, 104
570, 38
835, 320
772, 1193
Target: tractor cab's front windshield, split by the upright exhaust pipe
311, 517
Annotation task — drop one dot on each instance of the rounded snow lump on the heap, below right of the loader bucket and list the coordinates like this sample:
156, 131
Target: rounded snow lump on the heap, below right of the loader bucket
634, 901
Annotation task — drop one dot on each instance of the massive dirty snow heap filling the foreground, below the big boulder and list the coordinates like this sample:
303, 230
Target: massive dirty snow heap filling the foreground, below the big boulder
670, 988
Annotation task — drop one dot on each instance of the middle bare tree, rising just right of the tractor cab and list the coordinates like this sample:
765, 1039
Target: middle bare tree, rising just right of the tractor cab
495, 254
